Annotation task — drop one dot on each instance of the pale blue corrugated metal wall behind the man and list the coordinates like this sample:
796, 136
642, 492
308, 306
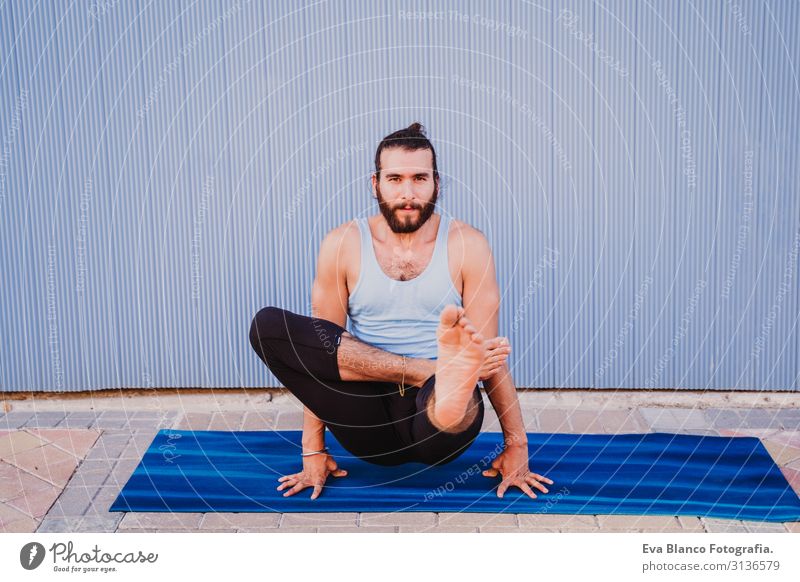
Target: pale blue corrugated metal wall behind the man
169, 168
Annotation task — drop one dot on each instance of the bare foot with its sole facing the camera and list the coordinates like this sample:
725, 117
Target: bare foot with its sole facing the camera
462, 352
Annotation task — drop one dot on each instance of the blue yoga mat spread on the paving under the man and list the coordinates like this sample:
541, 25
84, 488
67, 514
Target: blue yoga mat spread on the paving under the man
634, 474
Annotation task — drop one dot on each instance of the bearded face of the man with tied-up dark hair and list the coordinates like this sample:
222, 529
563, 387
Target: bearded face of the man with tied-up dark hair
406, 191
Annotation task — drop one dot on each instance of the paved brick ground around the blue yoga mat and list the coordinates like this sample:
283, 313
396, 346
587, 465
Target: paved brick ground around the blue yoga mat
63, 460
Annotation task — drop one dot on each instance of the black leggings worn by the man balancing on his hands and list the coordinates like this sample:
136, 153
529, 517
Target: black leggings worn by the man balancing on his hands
370, 419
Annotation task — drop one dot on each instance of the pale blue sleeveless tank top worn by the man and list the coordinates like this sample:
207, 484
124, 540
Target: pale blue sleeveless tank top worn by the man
401, 316
